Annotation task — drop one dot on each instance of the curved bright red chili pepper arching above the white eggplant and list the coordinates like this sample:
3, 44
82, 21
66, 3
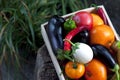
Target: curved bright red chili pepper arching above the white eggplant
70, 35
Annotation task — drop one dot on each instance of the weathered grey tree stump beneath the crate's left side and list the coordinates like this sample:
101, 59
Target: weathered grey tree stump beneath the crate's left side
44, 68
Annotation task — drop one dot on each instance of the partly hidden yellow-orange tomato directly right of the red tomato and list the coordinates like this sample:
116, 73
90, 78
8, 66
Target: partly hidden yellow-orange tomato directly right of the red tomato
97, 20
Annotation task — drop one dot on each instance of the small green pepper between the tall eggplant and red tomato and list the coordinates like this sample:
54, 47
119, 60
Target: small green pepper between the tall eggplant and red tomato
69, 24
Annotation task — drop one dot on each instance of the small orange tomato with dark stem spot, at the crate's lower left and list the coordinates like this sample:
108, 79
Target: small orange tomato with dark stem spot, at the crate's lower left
74, 70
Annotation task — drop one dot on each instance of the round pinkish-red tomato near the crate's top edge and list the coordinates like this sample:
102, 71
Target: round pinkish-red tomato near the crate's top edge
83, 18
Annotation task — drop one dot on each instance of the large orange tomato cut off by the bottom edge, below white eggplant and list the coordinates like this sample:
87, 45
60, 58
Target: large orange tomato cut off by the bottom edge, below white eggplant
95, 70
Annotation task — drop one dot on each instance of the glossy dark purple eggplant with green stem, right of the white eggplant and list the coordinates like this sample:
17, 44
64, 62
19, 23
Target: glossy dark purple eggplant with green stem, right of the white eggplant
104, 54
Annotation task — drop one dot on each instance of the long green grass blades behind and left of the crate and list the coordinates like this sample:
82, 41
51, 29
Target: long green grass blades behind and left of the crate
20, 22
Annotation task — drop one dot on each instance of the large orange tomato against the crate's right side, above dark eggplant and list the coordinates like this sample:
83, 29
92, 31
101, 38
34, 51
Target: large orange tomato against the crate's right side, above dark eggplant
102, 34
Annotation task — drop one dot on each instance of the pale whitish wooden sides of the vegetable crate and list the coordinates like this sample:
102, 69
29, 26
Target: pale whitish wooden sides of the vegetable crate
46, 40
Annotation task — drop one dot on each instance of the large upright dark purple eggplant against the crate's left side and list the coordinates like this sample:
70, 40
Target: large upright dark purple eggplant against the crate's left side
54, 32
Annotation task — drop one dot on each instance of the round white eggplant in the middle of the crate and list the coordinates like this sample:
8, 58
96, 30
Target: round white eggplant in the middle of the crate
83, 54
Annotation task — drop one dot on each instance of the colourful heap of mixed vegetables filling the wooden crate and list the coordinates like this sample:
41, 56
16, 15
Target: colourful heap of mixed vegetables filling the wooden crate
82, 57
